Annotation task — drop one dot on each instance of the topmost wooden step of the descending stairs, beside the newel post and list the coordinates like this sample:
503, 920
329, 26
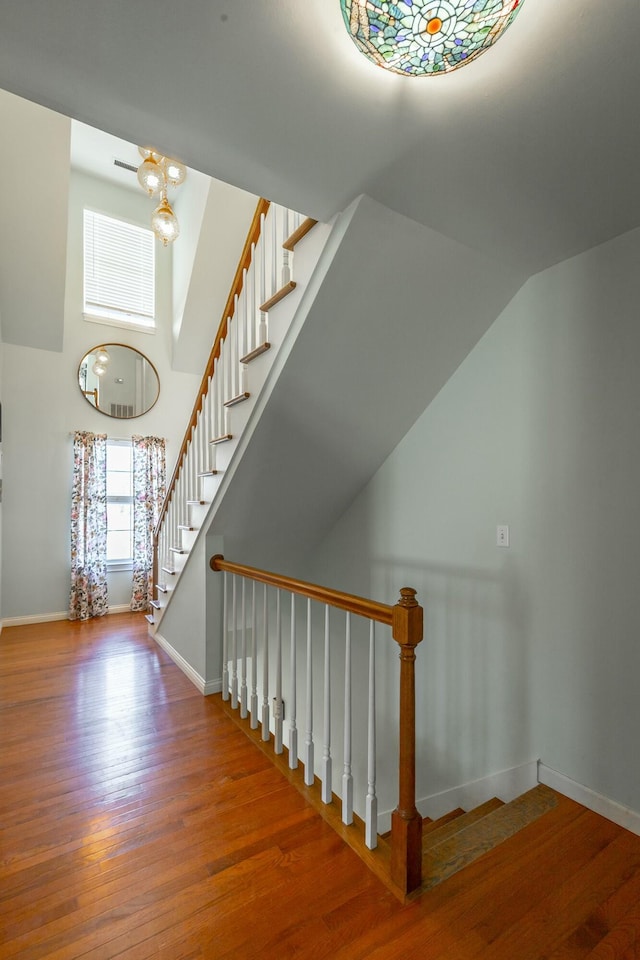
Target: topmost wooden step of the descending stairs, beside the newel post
466, 846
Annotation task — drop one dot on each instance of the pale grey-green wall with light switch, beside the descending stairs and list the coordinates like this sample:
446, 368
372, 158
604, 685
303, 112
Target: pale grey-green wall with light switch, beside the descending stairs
532, 650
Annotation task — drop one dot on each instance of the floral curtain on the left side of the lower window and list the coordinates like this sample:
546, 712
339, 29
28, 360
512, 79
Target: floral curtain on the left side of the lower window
88, 597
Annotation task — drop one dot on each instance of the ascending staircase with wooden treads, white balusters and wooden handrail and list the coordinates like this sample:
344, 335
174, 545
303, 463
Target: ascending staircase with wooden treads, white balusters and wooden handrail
253, 328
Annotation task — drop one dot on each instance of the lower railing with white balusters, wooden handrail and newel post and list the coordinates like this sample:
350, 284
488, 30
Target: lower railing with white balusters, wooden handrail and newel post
249, 645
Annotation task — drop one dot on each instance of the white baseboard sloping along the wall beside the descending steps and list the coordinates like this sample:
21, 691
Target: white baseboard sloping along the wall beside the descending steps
506, 784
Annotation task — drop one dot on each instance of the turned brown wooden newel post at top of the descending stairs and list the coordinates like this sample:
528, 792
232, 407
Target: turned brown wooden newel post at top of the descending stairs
406, 822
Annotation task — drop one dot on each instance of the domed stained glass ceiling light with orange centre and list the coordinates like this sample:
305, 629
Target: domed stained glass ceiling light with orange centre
425, 38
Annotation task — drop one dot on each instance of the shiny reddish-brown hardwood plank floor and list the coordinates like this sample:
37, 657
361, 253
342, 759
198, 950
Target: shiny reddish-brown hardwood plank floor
139, 822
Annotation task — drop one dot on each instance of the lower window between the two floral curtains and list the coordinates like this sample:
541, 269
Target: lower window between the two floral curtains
119, 504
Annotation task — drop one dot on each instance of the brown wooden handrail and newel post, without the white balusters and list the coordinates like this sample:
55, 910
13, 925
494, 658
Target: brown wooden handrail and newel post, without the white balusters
406, 621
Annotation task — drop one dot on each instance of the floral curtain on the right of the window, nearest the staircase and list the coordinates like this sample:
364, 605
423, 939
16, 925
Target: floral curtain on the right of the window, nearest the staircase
149, 481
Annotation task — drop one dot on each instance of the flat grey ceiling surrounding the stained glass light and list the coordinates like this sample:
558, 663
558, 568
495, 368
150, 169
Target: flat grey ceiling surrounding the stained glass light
530, 153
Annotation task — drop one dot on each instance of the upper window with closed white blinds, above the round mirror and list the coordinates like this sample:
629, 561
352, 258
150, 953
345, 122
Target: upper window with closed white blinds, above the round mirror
119, 272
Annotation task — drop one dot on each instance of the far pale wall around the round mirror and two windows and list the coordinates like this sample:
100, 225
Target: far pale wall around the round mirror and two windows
42, 404
